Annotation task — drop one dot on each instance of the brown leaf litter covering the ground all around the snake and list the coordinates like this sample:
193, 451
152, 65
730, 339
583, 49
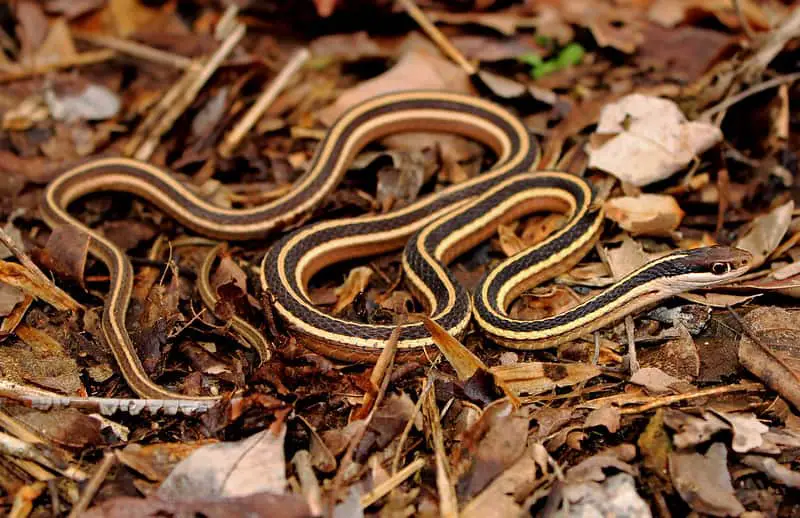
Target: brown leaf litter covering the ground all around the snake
680, 113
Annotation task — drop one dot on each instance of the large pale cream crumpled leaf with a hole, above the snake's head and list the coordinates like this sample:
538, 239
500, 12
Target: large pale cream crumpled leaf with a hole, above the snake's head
647, 139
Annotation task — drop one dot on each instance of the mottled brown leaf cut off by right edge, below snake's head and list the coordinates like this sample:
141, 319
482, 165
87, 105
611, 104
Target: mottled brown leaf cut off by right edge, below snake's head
772, 352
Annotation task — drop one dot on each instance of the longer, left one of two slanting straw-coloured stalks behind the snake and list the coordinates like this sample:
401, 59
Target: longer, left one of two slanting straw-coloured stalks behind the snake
165, 122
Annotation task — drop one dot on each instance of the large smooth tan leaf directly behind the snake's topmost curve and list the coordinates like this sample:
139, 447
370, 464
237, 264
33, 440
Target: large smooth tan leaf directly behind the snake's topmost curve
417, 69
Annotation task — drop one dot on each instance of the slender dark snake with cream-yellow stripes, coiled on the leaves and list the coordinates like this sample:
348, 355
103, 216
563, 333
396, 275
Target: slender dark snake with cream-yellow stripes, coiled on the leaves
432, 231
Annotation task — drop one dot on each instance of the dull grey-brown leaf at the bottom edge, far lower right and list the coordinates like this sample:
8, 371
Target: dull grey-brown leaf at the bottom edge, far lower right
703, 481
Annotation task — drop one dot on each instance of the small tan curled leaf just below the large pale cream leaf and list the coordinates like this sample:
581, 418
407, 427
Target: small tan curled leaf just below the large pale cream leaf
646, 214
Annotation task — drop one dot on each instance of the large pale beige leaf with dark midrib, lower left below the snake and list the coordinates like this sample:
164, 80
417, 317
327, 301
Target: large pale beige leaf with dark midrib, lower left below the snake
231, 469
